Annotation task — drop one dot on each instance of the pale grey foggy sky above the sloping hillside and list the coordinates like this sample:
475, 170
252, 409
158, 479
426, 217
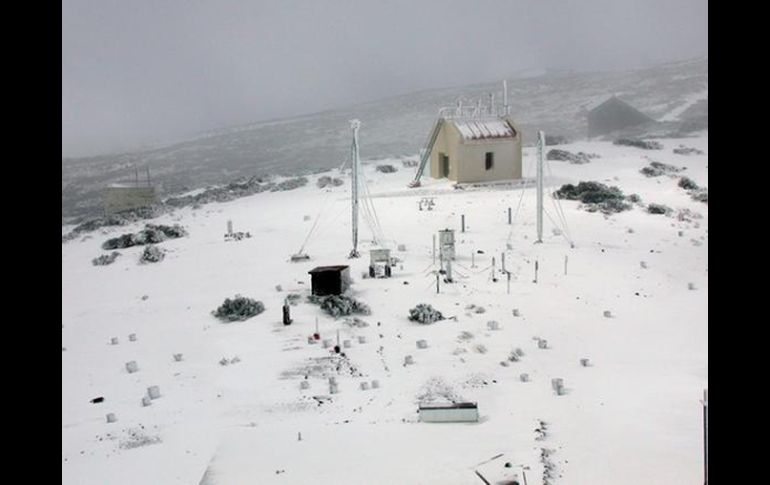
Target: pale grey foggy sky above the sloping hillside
144, 71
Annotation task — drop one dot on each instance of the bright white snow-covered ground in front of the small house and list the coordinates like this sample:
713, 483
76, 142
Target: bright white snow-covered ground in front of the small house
632, 417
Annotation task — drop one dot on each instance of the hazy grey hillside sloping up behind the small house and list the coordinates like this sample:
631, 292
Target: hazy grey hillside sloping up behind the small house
397, 126
